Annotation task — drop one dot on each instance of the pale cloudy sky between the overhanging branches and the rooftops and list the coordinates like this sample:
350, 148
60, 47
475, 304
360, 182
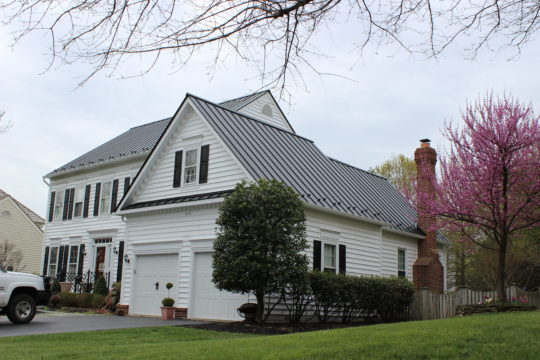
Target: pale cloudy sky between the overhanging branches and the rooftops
389, 102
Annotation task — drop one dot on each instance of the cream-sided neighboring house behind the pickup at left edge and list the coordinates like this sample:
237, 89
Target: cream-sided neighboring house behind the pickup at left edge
21, 227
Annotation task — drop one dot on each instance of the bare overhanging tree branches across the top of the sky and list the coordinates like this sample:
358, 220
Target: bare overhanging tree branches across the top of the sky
273, 34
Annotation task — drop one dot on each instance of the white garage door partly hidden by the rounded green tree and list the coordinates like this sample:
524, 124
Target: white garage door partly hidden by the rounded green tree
208, 302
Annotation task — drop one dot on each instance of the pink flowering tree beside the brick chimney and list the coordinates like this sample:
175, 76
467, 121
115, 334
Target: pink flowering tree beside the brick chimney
490, 176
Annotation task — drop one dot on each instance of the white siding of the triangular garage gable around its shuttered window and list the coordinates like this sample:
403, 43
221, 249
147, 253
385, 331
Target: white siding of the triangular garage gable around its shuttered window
188, 132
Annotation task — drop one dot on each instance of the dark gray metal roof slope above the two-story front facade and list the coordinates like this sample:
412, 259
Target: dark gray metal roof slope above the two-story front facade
135, 141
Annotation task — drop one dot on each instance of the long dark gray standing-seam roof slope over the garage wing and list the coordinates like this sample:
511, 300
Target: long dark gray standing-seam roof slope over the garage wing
273, 153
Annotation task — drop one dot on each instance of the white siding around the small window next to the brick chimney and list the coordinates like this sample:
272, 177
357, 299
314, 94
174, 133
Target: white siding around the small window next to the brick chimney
391, 243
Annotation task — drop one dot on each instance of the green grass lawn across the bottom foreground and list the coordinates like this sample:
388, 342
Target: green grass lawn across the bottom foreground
499, 336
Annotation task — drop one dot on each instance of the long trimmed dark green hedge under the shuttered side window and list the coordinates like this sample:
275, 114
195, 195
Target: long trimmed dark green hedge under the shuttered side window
350, 297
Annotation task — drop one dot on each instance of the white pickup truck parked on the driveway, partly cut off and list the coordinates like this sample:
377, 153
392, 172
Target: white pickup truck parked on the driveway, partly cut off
20, 293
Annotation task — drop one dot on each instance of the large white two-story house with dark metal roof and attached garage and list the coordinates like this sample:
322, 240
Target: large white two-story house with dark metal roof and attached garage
171, 176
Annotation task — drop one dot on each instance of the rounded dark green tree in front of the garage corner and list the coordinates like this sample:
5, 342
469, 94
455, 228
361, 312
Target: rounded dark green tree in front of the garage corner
261, 240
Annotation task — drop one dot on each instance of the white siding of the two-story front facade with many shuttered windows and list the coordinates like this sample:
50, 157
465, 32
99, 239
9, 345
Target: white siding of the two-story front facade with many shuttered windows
84, 230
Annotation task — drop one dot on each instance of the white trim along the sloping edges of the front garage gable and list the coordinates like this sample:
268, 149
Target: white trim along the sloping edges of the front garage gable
169, 131
